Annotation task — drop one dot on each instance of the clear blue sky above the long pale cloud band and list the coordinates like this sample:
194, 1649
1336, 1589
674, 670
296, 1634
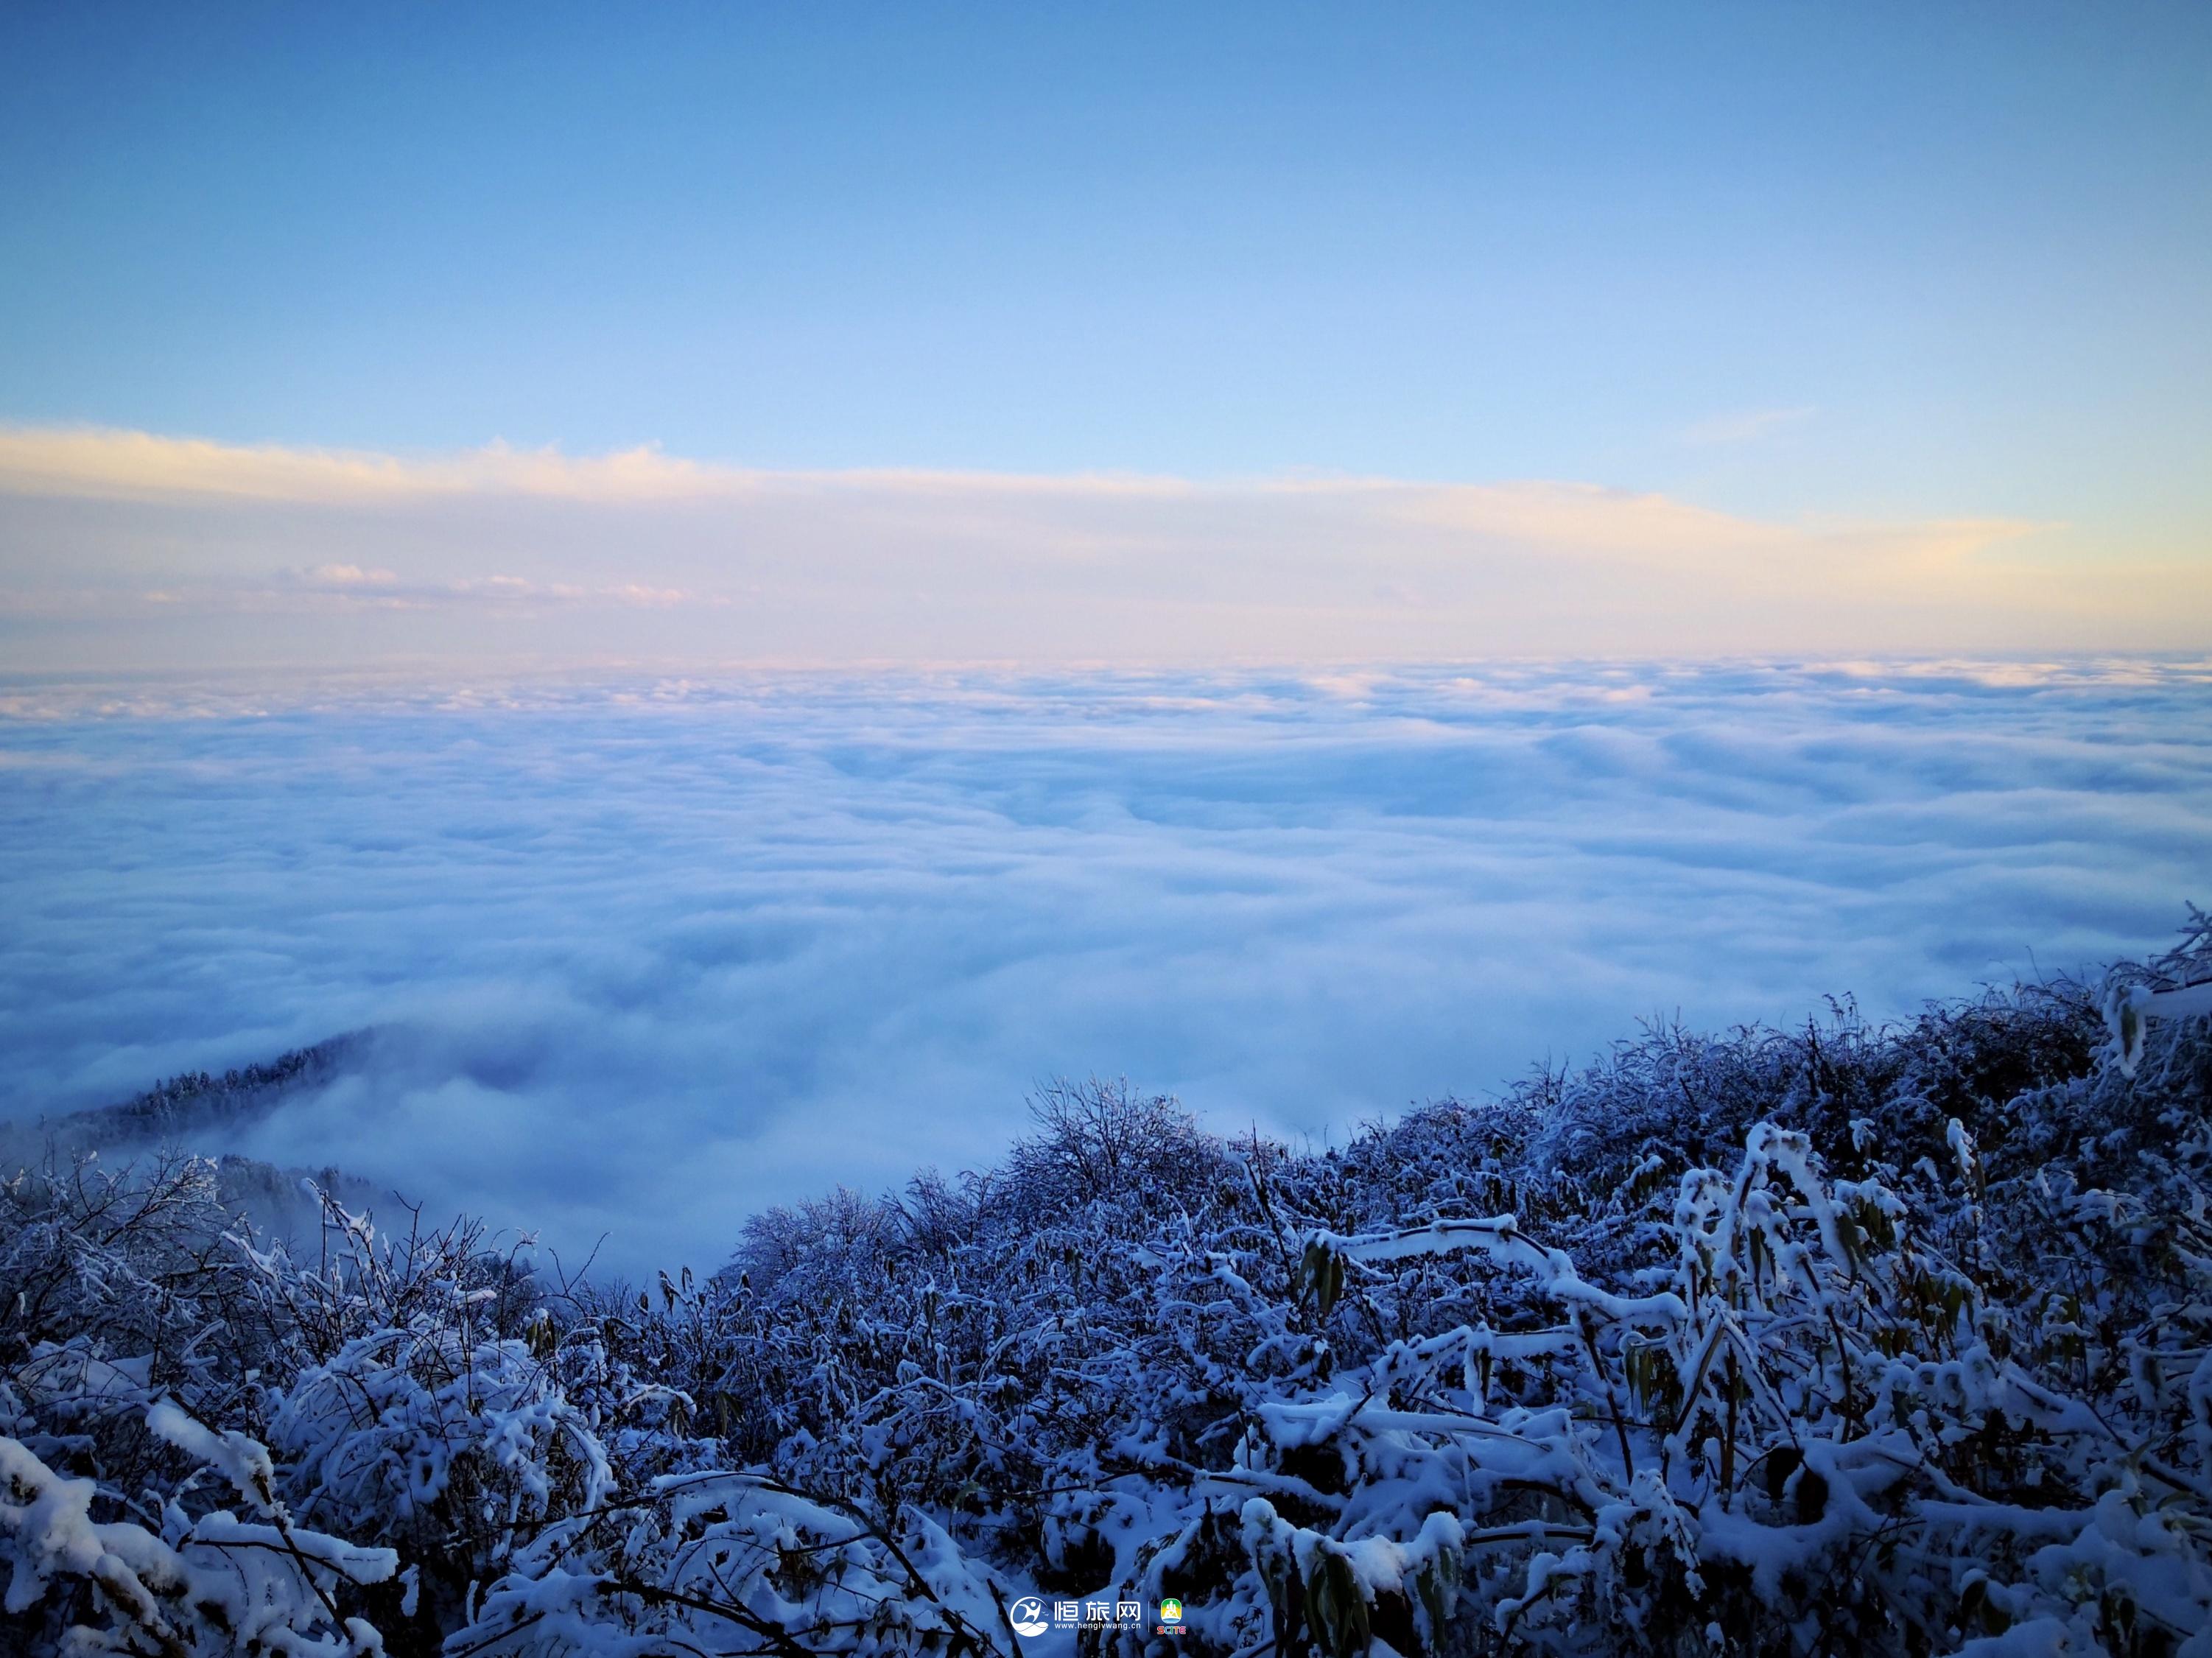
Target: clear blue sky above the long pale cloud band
1791, 264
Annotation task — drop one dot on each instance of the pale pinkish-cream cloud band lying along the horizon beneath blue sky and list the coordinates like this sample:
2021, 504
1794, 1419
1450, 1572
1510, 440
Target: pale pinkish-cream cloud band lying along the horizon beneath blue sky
134, 549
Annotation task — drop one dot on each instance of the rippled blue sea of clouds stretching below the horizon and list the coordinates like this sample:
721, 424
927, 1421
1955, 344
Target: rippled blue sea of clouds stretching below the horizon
649, 954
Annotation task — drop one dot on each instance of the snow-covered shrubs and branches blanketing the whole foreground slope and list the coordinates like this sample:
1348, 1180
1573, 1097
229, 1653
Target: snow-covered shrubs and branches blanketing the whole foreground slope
1839, 1339
